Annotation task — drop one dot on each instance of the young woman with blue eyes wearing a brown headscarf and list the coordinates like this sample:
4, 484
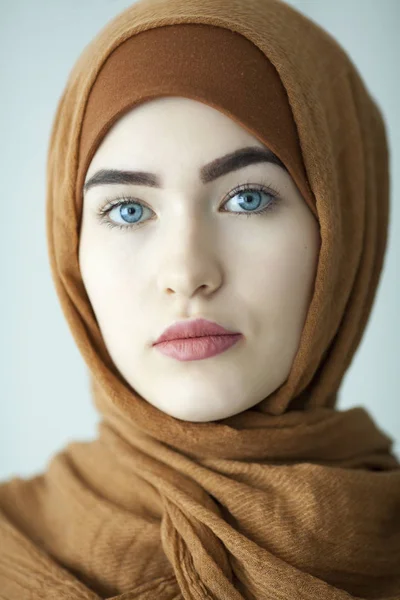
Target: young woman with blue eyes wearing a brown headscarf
217, 213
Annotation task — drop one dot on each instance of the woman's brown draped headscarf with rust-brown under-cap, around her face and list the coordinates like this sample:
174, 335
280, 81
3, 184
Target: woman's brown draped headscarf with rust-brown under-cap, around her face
291, 498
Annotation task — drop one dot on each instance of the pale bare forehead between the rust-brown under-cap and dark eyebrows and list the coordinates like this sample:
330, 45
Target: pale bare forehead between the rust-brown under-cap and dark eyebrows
148, 133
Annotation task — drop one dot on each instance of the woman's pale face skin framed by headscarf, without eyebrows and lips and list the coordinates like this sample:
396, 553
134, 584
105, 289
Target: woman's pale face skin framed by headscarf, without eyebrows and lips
186, 250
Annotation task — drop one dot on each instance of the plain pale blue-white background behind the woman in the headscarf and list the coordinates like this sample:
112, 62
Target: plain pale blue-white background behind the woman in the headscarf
45, 400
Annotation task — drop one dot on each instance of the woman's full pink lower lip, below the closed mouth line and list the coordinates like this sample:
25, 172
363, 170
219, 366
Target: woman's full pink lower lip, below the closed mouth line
197, 348
